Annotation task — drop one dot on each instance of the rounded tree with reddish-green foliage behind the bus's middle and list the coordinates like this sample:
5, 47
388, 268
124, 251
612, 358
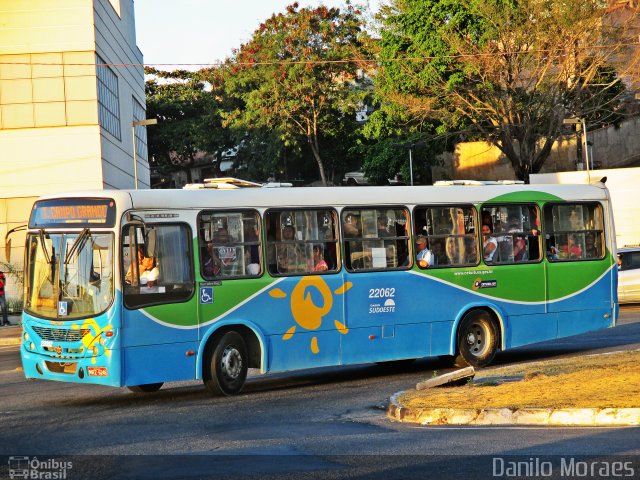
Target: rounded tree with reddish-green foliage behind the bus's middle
294, 76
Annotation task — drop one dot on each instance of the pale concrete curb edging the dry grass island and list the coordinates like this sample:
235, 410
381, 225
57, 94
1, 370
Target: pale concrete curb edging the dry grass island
507, 416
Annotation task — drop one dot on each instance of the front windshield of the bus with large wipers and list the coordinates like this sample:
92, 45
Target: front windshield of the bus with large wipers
69, 275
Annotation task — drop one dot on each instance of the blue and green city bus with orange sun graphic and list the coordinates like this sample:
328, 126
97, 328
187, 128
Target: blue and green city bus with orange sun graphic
139, 288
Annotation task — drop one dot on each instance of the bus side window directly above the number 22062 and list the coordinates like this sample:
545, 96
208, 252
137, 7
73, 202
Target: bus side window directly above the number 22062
376, 238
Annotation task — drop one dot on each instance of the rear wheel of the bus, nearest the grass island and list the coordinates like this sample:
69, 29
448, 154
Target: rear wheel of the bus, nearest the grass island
477, 339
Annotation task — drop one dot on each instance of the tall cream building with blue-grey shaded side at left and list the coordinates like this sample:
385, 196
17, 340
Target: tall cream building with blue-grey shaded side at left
71, 86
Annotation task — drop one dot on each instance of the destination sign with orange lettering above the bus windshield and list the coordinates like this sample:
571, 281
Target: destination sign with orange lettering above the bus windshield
77, 212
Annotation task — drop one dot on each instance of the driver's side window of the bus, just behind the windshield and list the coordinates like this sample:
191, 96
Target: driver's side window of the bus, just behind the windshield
162, 276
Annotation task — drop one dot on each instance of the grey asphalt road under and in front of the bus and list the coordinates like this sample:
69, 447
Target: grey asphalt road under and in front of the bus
323, 423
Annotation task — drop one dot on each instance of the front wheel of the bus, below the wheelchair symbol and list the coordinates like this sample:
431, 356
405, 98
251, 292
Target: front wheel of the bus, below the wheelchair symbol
226, 365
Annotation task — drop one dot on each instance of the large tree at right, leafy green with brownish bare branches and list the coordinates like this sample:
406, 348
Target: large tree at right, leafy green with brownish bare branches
511, 70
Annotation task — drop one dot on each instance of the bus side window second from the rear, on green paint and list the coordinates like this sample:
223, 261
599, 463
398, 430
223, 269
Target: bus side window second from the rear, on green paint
514, 231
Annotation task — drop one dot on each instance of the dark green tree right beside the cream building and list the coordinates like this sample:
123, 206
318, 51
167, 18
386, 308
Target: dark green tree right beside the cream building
188, 108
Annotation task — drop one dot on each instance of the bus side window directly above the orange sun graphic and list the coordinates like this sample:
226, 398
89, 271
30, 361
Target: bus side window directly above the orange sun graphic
301, 241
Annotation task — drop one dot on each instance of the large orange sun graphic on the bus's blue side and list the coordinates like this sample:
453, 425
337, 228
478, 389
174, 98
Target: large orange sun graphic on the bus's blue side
307, 314
